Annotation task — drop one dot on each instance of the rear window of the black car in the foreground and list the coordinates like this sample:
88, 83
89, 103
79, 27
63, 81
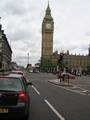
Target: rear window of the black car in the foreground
10, 84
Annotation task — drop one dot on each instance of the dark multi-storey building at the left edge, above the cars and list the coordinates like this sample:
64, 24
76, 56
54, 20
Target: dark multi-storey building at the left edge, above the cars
5, 51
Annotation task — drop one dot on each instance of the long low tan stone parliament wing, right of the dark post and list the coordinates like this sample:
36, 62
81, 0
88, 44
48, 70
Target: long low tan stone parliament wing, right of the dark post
78, 62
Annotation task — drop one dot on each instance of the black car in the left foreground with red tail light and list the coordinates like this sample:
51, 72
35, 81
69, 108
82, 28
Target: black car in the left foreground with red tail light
14, 97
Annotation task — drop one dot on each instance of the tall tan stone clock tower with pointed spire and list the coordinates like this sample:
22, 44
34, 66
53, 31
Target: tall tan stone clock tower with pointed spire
47, 35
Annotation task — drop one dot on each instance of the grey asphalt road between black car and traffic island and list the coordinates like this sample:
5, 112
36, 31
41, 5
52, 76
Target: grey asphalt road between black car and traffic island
50, 102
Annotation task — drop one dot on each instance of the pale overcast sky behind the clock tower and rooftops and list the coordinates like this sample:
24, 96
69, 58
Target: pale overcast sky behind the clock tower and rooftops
22, 20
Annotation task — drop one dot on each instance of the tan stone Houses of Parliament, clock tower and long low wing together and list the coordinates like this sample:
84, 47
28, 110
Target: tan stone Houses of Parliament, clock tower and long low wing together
47, 54
